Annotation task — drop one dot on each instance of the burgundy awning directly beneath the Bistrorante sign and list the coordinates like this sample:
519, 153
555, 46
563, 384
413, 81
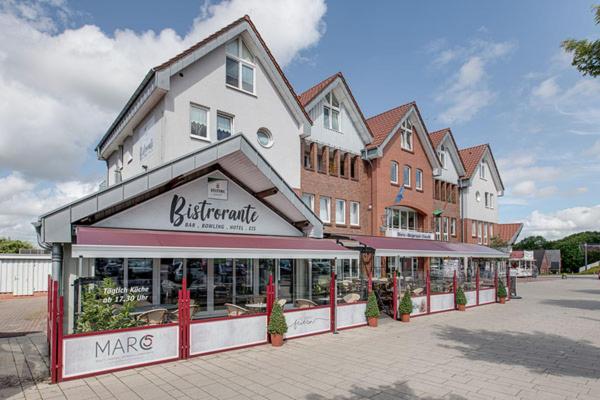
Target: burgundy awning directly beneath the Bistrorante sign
111, 242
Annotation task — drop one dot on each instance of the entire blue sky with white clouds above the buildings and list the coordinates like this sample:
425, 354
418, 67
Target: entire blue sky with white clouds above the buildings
493, 72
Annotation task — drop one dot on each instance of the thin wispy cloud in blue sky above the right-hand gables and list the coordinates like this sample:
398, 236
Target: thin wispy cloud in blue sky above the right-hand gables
467, 91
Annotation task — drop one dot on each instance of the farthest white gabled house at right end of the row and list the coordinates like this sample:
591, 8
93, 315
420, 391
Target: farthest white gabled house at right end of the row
480, 188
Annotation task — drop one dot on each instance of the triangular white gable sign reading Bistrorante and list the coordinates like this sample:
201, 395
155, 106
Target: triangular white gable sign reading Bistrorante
211, 203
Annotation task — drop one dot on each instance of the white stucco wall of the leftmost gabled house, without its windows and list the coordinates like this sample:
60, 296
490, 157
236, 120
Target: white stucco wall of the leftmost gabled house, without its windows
164, 132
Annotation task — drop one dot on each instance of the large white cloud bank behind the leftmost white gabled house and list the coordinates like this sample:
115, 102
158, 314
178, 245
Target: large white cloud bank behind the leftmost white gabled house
62, 85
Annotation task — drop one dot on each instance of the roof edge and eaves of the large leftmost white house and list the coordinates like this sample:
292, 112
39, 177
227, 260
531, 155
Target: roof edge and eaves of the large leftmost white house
153, 80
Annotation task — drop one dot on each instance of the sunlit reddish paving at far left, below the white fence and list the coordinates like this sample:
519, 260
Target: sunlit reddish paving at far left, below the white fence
21, 315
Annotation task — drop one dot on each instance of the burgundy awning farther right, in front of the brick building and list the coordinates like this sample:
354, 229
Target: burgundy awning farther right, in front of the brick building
389, 247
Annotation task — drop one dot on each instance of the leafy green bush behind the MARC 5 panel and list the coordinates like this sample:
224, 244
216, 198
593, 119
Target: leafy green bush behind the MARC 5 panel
99, 312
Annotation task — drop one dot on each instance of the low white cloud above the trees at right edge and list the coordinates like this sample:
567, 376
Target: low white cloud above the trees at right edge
561, 223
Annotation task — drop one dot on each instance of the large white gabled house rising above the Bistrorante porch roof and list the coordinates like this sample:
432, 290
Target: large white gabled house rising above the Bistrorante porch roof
226, 84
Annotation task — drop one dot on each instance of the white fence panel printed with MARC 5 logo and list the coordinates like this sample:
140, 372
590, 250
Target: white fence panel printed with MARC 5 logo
90, 354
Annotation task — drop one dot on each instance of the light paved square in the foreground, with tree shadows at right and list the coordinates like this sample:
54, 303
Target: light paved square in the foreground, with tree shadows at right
544, 346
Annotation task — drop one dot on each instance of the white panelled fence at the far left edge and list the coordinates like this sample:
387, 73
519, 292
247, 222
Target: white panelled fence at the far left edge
24, 274
